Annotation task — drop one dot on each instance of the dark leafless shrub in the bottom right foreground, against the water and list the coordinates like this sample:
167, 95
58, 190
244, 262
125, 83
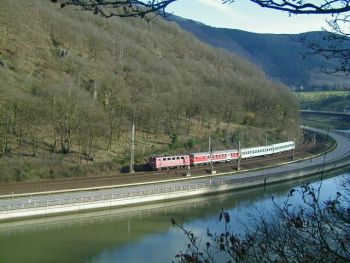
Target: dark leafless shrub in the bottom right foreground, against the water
315, 230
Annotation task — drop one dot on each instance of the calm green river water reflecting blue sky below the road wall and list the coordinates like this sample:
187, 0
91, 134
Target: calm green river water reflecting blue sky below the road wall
145, 235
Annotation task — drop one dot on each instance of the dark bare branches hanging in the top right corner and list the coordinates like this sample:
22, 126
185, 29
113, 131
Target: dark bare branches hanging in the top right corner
335, 44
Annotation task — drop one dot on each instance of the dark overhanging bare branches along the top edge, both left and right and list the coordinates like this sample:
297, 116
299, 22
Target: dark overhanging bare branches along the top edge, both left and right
336, 46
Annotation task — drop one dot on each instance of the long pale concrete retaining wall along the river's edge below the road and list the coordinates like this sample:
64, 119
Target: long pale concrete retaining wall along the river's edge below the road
160, 195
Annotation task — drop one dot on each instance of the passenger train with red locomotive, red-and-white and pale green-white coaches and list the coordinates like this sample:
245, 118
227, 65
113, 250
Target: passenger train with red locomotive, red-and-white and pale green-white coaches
223, 156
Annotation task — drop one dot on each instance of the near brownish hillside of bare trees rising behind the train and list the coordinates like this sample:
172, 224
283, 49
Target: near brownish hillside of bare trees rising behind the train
72, 84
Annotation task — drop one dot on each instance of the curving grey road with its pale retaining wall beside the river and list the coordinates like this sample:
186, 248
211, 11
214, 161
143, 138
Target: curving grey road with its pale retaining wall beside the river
137, 195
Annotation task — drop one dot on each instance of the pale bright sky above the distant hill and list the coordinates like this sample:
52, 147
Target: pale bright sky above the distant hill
247, 16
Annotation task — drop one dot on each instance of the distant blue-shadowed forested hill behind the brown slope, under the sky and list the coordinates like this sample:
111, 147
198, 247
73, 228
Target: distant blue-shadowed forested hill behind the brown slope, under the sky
282, 56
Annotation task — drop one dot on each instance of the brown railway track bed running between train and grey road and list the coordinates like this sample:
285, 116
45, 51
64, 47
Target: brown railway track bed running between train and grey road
142, 177
